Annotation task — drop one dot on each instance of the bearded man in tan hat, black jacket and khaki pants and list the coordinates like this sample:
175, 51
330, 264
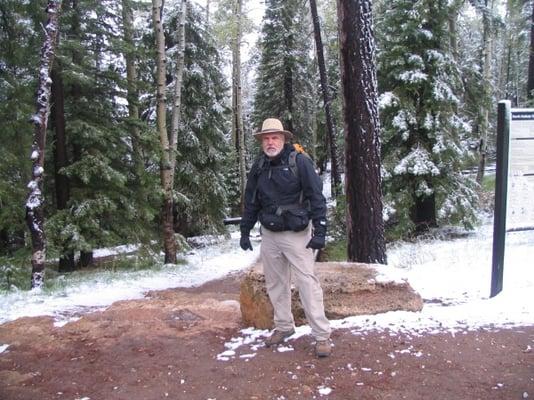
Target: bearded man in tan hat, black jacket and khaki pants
285, 193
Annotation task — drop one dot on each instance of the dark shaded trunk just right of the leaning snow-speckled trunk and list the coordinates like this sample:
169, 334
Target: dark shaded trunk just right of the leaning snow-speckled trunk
62, 185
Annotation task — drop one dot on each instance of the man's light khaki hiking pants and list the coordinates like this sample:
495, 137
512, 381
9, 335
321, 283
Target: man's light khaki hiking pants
285, 254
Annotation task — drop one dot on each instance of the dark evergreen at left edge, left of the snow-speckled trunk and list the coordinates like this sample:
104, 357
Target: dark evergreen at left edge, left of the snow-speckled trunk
20, 40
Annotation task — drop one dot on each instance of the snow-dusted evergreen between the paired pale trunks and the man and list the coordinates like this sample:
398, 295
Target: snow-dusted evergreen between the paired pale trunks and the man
201, 196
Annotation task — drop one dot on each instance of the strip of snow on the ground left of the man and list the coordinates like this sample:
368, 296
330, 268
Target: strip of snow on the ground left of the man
86, 292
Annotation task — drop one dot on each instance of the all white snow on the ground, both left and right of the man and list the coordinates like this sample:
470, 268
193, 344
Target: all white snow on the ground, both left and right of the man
453, 276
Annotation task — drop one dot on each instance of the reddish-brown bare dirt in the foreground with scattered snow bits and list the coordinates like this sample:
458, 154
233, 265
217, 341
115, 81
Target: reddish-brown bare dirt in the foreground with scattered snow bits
166, 346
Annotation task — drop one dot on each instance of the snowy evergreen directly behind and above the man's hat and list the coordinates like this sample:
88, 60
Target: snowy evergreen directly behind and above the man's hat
285, 82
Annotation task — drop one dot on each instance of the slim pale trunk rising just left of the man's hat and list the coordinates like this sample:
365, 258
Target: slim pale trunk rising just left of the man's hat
237, 106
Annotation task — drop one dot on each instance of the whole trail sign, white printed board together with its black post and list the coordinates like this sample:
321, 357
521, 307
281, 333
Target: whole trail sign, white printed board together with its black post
514, 184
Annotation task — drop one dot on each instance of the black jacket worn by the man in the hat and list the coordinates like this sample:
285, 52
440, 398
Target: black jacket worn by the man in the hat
274, 184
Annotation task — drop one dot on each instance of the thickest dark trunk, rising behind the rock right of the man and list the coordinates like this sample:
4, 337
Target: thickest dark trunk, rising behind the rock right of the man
365, 225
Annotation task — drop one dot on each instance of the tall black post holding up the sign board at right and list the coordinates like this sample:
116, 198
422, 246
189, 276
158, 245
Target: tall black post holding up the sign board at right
501, 184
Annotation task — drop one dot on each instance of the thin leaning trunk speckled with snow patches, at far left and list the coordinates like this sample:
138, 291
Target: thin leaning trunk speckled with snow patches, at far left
34, 202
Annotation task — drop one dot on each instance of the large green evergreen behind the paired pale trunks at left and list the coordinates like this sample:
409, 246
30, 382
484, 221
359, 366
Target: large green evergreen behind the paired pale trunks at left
101, 210
